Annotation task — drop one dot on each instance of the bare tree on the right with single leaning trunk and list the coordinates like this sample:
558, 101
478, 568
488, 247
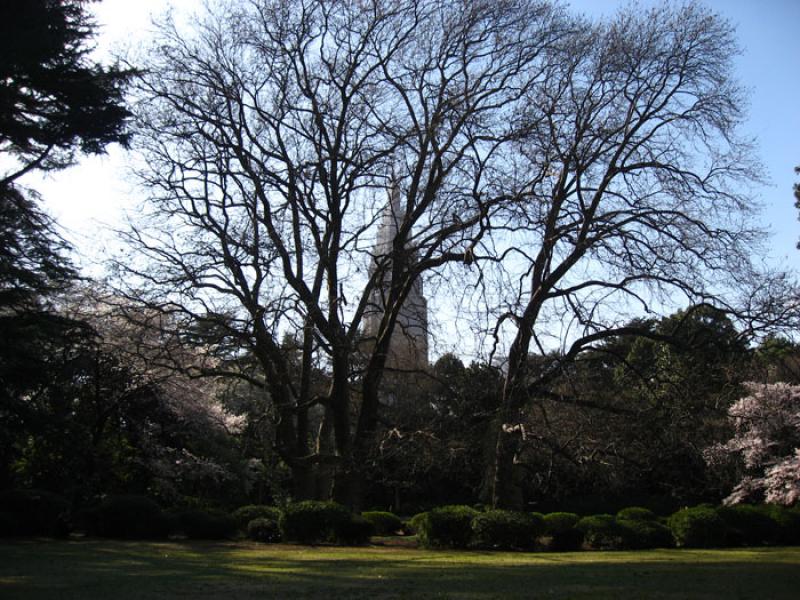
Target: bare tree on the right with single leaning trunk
632, 198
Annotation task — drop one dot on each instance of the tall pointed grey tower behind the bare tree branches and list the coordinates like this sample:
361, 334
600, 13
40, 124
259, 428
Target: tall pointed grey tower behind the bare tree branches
408, 347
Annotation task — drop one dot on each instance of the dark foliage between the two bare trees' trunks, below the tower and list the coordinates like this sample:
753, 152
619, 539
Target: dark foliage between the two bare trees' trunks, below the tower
433, 453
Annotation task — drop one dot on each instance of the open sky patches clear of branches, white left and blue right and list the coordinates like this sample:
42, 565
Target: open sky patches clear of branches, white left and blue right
90, 198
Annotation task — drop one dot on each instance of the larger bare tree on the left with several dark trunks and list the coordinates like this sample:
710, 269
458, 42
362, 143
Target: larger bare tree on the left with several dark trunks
267, 134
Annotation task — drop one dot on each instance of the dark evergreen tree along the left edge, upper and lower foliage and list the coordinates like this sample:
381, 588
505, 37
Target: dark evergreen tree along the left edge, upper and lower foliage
54, 103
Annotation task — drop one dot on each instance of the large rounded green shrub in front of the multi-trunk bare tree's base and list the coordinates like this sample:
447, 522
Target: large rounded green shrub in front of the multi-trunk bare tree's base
311, 521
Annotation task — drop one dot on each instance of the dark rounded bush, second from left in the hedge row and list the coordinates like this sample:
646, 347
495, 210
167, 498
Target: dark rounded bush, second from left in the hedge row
127, 517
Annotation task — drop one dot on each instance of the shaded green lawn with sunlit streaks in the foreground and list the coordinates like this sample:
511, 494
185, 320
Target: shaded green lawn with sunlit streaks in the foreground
125, 570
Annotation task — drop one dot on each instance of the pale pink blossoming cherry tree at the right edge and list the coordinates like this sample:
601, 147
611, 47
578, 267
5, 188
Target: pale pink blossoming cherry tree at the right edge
766, 441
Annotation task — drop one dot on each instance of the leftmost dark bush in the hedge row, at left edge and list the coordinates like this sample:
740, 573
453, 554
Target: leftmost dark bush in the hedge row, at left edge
33, 512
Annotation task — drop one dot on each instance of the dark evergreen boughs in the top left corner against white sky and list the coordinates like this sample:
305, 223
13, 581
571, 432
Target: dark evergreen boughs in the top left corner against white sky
53, 99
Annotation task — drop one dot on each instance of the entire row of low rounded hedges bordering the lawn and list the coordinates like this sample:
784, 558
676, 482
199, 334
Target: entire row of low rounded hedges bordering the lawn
32, 512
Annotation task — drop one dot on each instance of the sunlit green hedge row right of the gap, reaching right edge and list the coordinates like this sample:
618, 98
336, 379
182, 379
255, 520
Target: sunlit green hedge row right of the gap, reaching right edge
632, 528
